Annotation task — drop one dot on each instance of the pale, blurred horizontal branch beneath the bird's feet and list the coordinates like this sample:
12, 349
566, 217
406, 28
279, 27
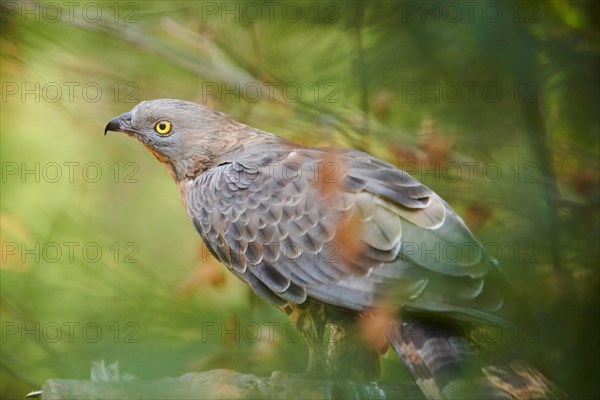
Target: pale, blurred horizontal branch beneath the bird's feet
227, 384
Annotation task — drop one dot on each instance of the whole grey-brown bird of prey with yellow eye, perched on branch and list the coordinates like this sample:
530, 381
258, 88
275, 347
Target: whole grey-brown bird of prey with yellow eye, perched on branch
338, 238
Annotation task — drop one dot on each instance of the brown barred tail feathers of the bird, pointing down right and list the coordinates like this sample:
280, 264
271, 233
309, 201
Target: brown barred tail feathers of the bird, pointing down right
446, 366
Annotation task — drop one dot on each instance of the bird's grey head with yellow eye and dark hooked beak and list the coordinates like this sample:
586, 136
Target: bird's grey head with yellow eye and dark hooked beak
183, 135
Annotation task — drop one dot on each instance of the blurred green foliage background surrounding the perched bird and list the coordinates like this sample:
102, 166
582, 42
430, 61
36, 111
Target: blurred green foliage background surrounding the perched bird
492, 104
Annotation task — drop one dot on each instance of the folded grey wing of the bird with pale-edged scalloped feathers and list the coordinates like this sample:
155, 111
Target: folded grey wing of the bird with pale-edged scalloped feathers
342, 227
